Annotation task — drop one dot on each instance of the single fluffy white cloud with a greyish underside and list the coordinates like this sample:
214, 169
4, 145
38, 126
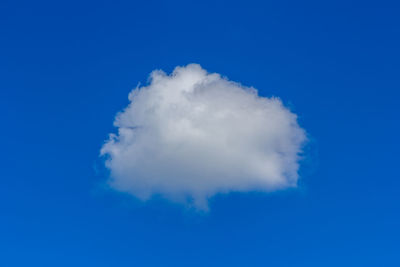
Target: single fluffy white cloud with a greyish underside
190, 135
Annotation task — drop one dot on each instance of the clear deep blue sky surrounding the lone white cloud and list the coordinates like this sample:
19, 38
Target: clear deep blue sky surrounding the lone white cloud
67, 68
